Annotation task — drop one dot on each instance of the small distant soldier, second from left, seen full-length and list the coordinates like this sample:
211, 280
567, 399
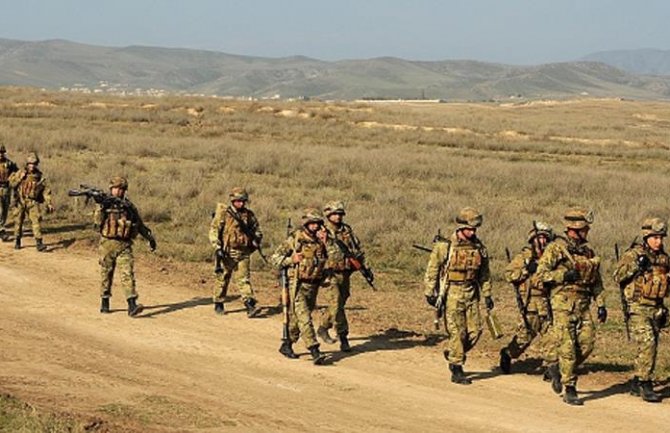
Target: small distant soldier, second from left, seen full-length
32, 191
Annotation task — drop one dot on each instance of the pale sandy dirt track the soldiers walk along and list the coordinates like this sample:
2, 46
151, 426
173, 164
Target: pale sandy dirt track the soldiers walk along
181, 368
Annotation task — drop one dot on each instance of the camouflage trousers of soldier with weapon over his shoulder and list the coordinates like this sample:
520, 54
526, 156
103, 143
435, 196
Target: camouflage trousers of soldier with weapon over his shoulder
116, 254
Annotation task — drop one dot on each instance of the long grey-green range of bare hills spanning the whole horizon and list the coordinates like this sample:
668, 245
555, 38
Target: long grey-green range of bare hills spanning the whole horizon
57, 63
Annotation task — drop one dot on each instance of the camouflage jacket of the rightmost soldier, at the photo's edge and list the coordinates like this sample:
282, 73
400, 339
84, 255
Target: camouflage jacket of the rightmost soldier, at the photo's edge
647, 287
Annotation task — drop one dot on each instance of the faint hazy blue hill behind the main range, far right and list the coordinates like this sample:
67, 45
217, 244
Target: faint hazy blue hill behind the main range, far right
642, 61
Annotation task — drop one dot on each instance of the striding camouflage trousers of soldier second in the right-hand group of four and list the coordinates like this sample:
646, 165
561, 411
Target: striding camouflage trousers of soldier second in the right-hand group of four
539, 324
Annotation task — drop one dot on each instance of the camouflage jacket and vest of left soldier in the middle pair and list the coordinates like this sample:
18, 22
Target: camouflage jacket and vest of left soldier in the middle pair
312, 267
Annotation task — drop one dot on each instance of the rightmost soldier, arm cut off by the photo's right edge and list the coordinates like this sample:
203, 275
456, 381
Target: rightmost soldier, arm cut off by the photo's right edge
642, 272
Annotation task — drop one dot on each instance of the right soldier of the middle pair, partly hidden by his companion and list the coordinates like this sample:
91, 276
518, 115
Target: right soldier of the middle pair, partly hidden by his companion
336, 290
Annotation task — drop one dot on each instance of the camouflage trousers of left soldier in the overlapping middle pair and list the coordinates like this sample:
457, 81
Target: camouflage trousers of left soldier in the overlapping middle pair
303, 303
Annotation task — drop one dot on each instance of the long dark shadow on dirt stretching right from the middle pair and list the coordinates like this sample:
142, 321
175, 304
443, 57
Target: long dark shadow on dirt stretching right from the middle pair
389, 339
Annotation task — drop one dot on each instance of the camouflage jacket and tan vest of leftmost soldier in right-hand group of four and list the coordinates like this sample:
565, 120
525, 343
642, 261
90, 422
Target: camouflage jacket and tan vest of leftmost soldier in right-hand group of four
456, 261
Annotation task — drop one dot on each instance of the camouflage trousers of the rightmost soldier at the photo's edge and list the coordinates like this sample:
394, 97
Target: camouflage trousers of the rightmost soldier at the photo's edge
645, 331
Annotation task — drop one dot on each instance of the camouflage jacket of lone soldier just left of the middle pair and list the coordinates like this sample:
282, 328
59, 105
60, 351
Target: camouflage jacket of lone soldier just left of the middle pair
225, 231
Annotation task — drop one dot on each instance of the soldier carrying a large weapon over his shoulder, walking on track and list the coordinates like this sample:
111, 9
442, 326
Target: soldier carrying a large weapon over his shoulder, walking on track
119, 223
